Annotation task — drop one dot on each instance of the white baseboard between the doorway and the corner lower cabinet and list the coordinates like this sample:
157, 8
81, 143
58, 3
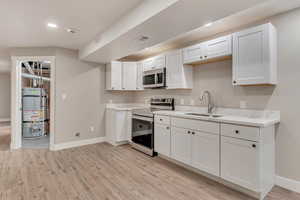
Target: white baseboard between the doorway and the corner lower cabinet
79, 143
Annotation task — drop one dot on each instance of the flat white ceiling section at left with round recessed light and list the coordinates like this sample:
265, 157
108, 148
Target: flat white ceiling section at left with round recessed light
23, 22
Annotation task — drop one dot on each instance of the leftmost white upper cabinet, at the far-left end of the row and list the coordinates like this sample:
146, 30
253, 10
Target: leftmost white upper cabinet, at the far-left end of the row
114, 75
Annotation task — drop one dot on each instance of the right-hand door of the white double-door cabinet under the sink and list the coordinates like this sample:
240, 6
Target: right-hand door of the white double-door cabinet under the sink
205, 152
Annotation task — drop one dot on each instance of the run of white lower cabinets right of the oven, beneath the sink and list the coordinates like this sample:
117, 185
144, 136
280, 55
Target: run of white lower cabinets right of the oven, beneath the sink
242, 155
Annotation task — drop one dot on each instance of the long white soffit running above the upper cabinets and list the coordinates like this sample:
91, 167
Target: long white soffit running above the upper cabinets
182, 24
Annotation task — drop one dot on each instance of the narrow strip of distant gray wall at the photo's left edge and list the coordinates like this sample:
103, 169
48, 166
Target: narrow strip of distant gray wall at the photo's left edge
4, 95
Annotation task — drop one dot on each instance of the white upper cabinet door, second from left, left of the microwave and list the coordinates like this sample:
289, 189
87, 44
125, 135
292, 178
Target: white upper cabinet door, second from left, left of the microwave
129, 75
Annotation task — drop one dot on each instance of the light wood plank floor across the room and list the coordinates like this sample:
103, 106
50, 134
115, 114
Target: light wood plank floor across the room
100, 171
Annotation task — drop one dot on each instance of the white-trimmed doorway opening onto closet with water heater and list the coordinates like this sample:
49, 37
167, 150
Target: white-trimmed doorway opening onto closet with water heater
33, 100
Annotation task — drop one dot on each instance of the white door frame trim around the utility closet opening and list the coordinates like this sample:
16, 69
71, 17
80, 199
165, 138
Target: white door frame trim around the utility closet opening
16, 99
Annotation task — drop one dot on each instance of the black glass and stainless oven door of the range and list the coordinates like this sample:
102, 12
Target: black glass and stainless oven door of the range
142, 132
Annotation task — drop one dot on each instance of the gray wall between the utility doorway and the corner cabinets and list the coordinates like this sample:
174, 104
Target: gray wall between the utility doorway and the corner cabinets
83, 83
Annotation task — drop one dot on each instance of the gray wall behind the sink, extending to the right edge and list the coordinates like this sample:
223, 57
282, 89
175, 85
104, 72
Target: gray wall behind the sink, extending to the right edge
285, 97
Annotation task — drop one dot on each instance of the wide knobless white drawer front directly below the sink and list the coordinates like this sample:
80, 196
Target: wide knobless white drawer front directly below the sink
210, 127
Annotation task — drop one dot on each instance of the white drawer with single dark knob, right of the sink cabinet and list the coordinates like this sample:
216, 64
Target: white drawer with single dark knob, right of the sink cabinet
243, 132
